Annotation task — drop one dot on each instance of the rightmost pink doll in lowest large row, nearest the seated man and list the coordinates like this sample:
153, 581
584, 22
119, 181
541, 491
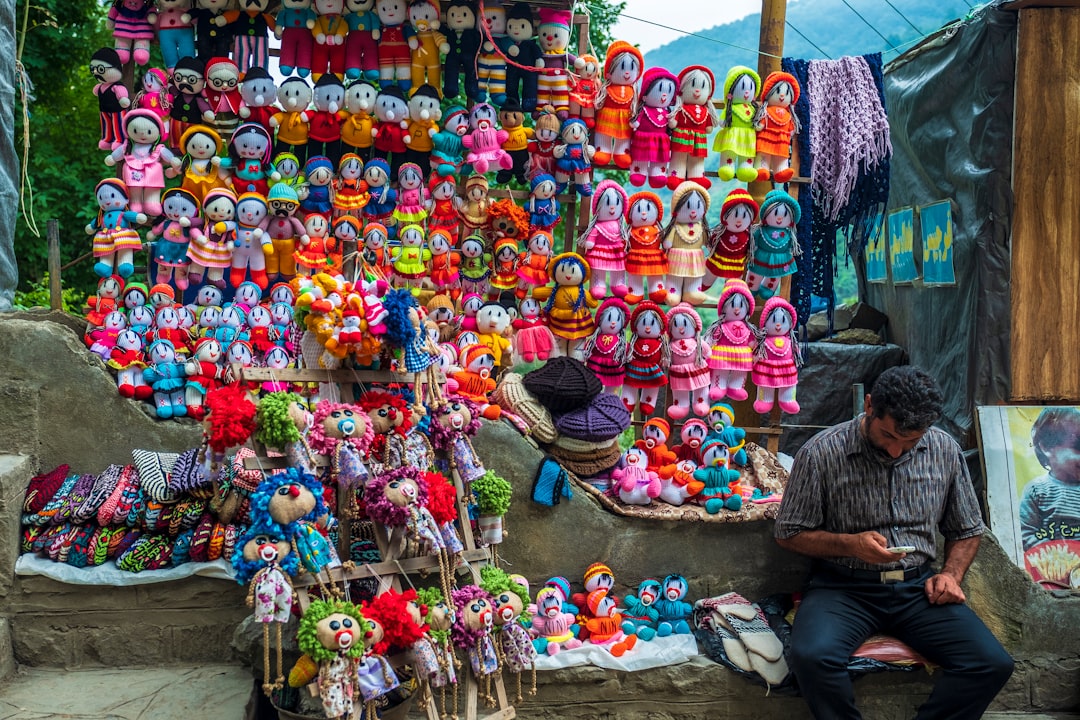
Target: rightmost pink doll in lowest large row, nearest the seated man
778, 358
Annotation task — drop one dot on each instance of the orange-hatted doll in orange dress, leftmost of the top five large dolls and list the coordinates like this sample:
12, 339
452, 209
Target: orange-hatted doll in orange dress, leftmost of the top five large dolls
623, 69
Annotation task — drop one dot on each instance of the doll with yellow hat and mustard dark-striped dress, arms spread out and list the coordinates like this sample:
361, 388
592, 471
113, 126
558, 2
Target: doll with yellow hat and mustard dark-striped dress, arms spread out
569, 305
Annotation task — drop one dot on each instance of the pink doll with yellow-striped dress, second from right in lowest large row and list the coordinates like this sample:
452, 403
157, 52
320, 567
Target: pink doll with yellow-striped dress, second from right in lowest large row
734, 342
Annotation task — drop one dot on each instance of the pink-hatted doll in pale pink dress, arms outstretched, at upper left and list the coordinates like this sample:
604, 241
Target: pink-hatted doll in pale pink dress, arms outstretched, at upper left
141, 156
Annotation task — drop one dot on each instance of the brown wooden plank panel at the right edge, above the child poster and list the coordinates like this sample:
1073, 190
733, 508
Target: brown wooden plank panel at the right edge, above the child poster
1046, 237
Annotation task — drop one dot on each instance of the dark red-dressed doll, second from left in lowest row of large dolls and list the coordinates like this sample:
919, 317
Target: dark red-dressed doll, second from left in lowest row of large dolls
646, 359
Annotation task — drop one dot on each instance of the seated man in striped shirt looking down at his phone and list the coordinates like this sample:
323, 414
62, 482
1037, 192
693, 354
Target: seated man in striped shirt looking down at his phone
865, 500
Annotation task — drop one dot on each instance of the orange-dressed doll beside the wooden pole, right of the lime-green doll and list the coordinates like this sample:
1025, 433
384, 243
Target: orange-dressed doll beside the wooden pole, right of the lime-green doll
775, 125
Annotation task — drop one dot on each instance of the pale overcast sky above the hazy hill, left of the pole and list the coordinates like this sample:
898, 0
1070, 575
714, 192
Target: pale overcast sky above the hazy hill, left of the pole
687, 16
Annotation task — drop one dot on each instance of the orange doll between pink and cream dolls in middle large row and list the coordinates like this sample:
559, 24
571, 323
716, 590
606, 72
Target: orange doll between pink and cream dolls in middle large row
646, 264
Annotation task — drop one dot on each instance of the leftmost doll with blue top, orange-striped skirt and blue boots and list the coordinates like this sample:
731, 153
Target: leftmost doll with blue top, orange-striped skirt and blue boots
115, 238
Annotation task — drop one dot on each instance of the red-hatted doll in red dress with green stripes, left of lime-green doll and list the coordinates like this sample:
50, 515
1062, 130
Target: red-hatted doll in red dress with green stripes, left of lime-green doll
695, 120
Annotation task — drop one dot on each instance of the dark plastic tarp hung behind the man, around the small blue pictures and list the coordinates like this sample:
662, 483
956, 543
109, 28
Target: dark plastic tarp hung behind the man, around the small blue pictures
951, 112
